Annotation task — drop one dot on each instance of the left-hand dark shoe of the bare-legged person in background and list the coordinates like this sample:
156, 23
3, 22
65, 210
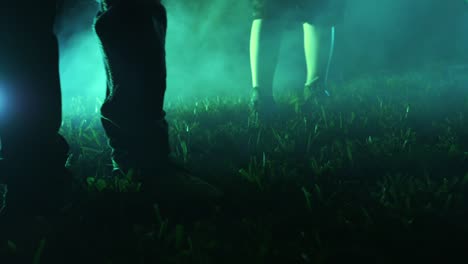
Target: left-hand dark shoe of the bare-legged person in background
262, 103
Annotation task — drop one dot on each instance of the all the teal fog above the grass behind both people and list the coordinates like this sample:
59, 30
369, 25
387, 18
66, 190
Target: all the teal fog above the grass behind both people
207, 44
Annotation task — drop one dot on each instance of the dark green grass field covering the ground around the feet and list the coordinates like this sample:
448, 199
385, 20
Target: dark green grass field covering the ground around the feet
377, 173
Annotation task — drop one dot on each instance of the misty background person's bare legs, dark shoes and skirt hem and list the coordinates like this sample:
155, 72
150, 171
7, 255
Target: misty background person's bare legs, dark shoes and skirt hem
267, 29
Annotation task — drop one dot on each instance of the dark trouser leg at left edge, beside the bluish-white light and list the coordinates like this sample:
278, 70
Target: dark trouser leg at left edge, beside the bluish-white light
33, 152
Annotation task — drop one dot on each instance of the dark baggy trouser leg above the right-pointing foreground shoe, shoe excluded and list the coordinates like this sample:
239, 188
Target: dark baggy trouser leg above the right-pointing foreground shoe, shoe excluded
132, 34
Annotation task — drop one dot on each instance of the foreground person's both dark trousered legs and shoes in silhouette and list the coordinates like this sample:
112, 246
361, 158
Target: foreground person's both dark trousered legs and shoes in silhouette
132, 33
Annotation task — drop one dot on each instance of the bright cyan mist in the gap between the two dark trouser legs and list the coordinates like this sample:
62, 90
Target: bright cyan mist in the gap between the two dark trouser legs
81, 65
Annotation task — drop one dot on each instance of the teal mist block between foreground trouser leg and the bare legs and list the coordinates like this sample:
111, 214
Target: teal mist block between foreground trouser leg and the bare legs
207, 49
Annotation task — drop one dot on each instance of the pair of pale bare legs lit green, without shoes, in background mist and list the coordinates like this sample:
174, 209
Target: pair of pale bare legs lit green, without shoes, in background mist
264, 47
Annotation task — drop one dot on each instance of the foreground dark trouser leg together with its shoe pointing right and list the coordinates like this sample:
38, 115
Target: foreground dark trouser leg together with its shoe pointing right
132, 34
